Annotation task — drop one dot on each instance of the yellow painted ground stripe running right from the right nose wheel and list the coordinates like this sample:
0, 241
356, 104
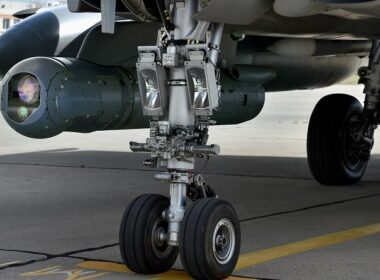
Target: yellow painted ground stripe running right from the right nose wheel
266, 255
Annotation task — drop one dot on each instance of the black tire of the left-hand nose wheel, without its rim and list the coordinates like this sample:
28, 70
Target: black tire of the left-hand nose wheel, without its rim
135, 236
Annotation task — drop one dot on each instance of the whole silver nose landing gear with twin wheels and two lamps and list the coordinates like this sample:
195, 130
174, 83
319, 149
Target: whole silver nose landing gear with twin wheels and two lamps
179, 90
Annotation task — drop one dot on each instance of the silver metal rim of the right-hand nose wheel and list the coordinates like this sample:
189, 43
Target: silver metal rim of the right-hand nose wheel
223, 241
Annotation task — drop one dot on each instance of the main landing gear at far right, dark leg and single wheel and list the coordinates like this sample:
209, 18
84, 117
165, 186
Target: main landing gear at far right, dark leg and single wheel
341, 132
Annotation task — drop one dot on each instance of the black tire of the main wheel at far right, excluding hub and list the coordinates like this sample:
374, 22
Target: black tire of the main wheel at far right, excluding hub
326, 141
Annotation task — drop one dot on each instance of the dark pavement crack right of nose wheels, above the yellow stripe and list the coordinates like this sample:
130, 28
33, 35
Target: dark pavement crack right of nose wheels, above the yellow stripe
309, 207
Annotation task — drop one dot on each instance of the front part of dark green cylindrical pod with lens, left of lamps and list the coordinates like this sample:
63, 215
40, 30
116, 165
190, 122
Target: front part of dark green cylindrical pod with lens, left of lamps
42, 97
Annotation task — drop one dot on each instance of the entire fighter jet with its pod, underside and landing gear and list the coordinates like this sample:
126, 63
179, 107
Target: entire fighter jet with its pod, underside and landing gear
177, 67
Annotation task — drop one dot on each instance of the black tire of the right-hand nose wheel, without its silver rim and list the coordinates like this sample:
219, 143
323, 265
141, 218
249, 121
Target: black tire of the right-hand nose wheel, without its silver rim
196, 239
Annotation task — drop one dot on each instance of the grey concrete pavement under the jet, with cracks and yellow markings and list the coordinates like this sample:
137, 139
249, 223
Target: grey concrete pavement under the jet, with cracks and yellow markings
61, 201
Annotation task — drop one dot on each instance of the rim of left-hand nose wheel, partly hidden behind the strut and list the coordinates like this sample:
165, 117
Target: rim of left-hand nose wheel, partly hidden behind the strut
159, 244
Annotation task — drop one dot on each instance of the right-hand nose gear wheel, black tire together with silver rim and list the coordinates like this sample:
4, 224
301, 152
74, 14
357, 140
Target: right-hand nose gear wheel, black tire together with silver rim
210, 239
